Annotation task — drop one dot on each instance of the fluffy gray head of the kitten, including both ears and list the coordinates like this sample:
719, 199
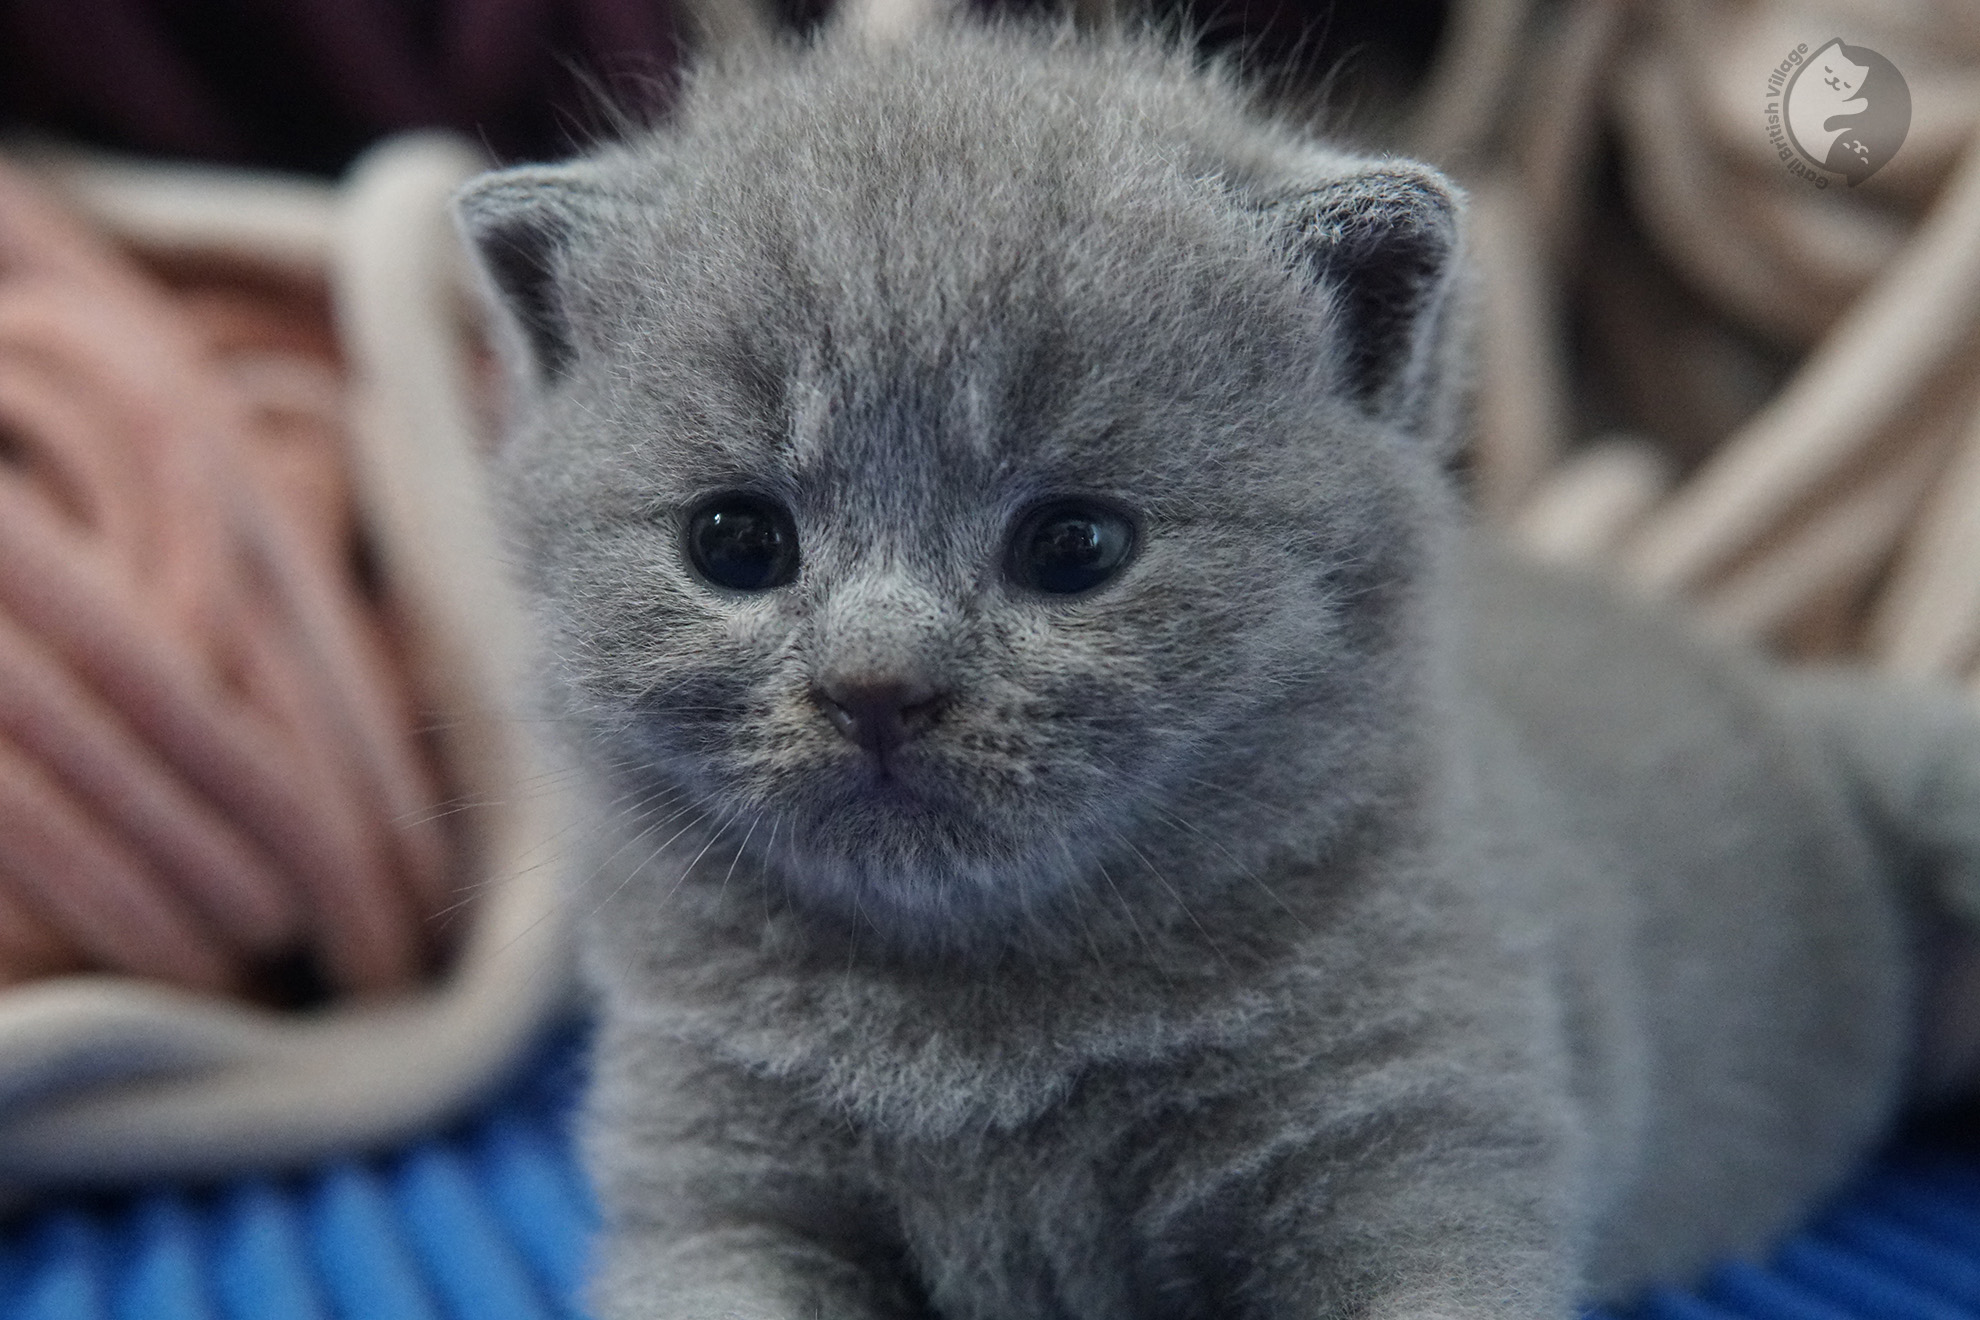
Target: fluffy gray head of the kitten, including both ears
943, 466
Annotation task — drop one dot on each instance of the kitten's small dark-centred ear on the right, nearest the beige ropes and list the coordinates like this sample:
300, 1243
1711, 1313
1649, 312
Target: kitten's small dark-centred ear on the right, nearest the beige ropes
1383, 240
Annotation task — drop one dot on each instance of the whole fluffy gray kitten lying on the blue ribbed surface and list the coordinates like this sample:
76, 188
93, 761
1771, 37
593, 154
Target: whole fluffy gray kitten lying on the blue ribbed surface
1094, 836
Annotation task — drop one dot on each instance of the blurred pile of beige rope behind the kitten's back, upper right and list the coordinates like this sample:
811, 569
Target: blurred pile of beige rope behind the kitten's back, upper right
1838, 514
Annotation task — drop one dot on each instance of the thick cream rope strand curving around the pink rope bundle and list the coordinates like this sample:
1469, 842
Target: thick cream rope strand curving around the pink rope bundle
108, 1080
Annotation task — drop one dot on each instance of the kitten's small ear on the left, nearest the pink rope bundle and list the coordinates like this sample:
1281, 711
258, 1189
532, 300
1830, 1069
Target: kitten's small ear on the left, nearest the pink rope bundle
520, 223
